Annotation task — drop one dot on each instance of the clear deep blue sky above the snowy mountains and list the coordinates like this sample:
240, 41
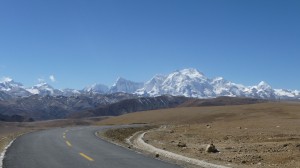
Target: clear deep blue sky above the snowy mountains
82, 42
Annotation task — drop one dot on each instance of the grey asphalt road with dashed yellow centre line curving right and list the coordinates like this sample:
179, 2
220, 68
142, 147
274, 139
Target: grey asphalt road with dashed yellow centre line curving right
74, 148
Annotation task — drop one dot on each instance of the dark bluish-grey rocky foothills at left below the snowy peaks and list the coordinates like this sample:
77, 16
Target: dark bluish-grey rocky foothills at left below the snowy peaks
56, 107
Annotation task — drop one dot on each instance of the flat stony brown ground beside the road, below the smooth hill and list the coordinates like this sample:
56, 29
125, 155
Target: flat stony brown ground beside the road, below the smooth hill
242, 145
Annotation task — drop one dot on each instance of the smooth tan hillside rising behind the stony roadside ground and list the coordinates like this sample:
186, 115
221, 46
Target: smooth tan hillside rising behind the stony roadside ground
183, 115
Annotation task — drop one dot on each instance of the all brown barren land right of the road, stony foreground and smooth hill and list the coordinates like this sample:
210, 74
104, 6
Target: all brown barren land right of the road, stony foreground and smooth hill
259, 135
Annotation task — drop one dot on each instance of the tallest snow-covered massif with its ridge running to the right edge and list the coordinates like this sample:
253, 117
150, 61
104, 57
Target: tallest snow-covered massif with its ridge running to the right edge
192, 83
